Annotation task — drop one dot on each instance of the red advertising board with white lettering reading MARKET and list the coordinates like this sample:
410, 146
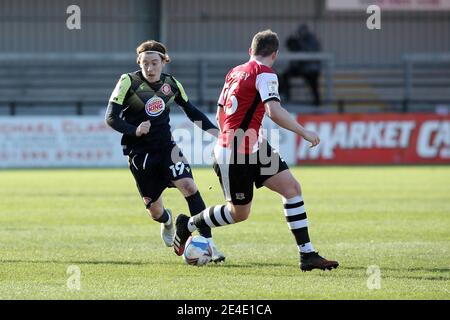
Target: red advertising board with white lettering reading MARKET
376, 139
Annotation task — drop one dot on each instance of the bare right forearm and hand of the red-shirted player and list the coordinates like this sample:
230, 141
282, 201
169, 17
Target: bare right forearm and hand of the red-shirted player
281, 117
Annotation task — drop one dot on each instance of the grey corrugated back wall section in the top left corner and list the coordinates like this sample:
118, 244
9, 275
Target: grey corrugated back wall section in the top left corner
106, 25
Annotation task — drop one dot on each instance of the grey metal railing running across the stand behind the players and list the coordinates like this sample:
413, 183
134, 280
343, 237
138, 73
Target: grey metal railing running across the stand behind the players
204, 62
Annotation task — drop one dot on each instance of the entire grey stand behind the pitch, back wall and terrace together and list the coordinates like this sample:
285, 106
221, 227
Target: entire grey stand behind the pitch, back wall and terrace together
369, 73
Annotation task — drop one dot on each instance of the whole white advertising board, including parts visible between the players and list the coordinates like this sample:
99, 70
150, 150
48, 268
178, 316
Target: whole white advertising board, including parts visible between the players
33, 142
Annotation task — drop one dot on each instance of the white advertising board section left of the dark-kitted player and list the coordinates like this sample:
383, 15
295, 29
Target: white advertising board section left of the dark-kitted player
86, 141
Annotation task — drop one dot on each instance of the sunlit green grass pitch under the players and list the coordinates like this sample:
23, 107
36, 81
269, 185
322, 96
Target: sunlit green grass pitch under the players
394, 218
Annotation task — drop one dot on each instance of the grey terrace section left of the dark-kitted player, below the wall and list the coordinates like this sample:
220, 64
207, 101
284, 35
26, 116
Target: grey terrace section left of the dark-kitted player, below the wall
57, 85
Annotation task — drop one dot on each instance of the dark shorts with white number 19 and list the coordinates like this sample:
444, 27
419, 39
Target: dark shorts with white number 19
154, 172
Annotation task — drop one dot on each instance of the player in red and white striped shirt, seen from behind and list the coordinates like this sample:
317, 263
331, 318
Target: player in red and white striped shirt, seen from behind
244, 158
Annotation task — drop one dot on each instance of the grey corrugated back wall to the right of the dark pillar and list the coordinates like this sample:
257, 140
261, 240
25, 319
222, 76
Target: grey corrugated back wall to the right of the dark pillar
202, 25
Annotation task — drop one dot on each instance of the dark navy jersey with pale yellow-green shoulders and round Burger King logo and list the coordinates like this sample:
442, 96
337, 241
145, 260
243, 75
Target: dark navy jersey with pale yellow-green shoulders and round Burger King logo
135, 100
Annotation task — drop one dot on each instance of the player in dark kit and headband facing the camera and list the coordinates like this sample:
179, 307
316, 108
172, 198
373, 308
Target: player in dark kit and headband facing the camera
139, 109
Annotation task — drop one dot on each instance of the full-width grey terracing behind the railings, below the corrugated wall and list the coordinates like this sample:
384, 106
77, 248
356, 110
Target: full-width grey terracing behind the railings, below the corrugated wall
82, 86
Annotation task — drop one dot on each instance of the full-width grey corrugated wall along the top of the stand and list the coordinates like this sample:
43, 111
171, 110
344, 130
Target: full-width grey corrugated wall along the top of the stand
217, 26
